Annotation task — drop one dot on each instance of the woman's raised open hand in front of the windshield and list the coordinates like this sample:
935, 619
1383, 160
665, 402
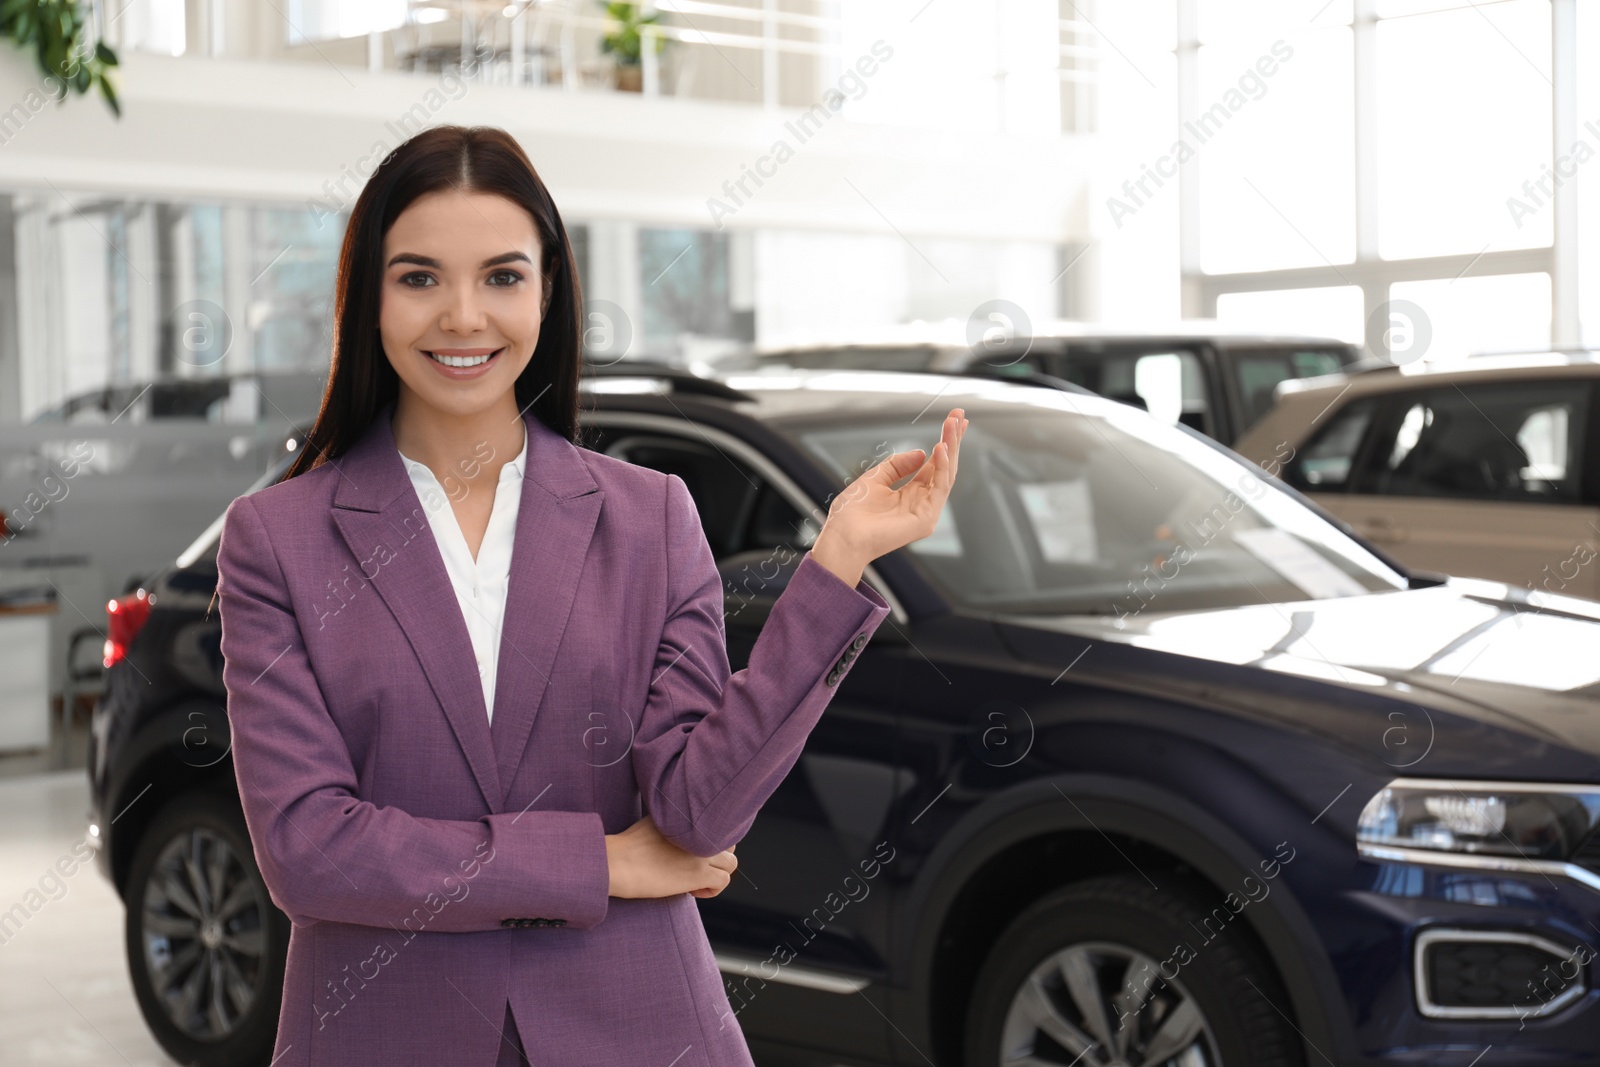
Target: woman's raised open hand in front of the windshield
871, 519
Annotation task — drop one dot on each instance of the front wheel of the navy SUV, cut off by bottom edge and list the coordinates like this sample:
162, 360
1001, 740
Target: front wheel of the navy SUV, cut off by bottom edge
1098, 975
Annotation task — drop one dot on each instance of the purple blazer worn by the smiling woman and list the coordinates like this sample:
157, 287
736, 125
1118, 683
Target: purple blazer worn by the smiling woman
438, 869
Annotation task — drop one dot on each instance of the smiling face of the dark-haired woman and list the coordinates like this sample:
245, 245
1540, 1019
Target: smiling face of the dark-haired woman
462, 281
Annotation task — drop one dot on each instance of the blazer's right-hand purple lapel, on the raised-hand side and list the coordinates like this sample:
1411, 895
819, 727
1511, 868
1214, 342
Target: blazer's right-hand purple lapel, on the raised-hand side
556, 522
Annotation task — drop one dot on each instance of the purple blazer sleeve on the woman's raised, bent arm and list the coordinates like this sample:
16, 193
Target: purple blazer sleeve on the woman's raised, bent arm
713, 746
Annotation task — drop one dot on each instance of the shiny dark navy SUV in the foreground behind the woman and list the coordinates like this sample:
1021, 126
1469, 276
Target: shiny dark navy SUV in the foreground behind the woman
1151, 764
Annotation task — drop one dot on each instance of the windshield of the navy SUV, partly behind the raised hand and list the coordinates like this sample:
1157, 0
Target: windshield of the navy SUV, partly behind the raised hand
1070, 505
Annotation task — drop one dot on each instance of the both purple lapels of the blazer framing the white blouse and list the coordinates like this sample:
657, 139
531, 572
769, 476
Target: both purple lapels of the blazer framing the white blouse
382, 519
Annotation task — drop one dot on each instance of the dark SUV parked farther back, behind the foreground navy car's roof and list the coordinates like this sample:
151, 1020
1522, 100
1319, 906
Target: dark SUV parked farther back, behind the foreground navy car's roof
1207, 378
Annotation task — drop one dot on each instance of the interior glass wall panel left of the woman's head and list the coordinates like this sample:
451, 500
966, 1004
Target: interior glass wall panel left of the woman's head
121, 292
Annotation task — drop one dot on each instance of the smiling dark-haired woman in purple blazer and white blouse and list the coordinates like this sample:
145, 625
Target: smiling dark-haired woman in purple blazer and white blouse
428, 623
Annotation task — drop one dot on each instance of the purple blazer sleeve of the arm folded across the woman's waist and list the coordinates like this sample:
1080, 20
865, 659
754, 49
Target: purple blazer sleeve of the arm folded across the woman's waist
329, 855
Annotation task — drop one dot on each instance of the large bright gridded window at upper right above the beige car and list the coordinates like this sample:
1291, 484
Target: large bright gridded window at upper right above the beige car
1396, 172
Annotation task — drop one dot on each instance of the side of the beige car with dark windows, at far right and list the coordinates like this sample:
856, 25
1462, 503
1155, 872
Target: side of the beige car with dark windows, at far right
1486, 481
